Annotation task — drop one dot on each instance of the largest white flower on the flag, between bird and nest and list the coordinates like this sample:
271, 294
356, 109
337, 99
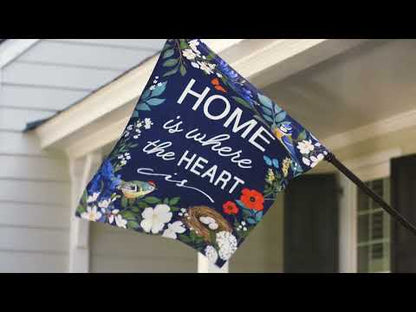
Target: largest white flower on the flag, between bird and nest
154, 219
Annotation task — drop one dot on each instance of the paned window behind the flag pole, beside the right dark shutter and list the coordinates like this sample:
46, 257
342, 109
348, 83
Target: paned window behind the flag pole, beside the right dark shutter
373, 229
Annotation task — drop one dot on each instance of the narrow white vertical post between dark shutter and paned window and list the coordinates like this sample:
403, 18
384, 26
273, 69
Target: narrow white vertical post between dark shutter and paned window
347, 226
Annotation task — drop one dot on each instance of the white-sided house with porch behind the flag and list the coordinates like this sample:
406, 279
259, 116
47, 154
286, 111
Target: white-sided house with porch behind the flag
74, 97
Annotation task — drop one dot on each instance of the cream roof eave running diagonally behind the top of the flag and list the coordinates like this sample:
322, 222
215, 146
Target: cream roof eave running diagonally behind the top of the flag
100, 117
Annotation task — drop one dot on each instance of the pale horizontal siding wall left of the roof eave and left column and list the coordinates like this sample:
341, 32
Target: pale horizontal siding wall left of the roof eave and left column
34, 184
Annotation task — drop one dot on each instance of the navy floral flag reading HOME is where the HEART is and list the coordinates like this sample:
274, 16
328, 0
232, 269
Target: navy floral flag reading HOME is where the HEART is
202, 158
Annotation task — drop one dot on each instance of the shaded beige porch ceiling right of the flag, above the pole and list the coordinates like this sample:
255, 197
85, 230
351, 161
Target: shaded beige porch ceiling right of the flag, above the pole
365, 85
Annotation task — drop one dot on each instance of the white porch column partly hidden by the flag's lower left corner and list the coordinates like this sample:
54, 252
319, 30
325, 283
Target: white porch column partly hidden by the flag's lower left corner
81, 172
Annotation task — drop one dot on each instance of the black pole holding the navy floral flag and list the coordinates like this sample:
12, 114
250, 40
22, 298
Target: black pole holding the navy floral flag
350, 175
